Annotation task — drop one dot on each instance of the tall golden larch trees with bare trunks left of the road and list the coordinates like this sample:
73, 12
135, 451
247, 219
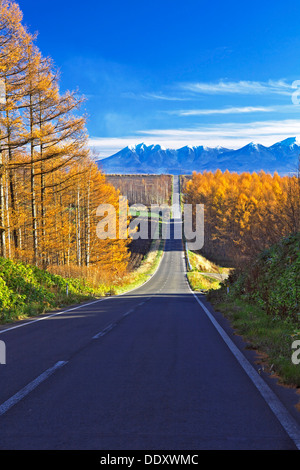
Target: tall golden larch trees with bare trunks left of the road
50, 187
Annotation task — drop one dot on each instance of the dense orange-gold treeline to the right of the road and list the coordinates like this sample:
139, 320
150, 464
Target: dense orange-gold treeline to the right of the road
244, 213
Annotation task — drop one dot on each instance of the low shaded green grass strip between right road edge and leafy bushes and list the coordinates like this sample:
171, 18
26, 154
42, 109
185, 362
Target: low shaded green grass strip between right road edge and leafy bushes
271, 336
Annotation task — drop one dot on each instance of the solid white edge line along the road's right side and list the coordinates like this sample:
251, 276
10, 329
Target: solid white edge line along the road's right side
286, 420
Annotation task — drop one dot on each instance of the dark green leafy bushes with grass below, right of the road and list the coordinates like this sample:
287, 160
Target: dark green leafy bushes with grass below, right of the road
262, 304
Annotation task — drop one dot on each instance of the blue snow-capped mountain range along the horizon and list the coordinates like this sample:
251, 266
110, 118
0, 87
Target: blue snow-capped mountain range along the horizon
154, 159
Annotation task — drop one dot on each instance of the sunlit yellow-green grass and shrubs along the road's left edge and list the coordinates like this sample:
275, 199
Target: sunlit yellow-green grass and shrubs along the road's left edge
27, 291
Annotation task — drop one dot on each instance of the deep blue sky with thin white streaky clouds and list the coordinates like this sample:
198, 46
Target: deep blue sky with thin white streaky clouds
175, 72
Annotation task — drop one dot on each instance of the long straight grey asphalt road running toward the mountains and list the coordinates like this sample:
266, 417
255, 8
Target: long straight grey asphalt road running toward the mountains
143, 371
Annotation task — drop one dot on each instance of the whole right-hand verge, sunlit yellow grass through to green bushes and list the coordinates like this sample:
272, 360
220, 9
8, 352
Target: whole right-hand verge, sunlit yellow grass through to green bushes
270, 332
